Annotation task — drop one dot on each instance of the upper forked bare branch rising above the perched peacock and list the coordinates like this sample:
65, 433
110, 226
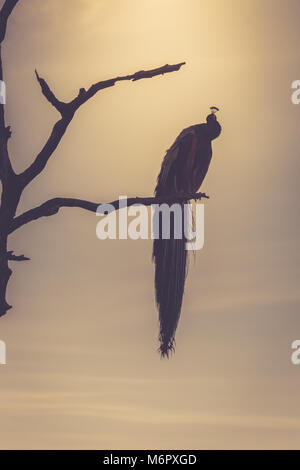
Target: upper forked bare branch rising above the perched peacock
67, 111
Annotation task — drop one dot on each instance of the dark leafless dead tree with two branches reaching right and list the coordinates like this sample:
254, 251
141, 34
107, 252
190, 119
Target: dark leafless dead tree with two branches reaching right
13, 184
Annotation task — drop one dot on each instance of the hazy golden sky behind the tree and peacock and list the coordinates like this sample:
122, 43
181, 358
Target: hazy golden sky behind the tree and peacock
82, 368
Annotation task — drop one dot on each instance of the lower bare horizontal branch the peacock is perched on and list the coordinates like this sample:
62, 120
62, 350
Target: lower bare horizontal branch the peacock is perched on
52, 206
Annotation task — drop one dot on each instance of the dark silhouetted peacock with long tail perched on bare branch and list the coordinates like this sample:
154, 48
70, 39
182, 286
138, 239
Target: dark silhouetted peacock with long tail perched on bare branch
182, 172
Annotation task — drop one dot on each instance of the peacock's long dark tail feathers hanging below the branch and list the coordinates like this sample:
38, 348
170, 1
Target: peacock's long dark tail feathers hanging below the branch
170, 258
